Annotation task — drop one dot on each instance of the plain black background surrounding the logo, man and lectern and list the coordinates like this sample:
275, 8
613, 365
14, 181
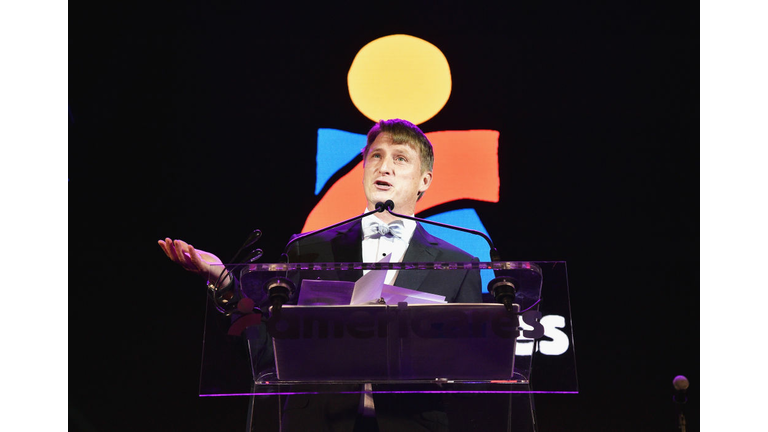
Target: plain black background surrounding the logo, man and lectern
199, 120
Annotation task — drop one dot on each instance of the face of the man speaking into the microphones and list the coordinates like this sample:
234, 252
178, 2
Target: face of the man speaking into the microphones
393, 171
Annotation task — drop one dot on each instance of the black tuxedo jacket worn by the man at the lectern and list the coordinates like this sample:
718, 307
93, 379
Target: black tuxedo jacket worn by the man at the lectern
344, 244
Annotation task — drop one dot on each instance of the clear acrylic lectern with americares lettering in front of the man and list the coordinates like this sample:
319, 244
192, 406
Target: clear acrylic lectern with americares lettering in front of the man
483, 361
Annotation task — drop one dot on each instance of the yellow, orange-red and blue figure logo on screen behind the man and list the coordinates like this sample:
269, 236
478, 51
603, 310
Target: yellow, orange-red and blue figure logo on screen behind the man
400, 76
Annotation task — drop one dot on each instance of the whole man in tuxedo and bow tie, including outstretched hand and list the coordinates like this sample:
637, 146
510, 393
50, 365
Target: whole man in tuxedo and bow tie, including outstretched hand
397, 160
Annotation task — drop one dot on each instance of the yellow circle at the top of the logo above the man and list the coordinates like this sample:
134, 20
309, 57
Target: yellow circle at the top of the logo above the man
399, 76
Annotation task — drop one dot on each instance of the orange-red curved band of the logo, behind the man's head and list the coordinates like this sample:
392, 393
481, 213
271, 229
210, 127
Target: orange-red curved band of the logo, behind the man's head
466, 167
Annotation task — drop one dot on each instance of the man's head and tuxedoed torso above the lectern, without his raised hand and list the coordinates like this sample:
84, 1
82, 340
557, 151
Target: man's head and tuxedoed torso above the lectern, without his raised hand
397, 166
